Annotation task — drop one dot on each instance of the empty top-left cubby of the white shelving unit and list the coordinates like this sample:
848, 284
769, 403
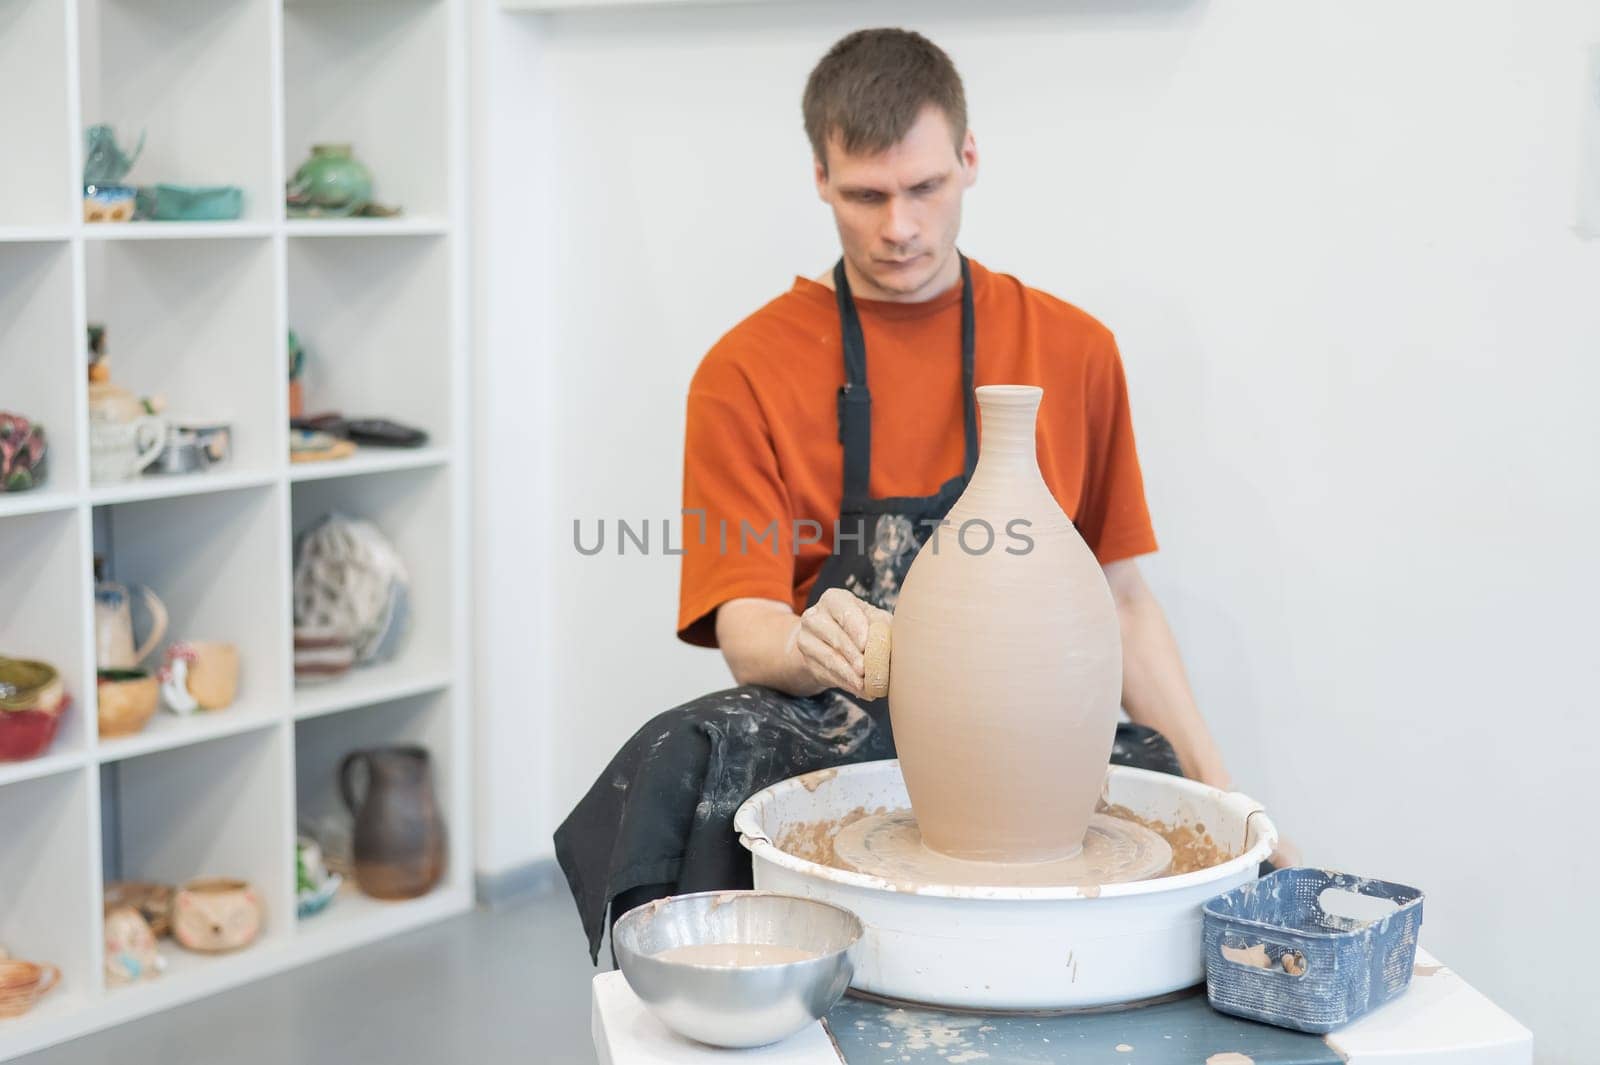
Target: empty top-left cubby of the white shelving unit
36, 186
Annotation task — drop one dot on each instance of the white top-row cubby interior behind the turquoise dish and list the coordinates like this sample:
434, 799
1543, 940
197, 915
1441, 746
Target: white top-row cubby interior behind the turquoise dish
196, 79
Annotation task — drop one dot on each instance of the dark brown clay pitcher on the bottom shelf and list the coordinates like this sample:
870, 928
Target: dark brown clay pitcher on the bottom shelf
399, 839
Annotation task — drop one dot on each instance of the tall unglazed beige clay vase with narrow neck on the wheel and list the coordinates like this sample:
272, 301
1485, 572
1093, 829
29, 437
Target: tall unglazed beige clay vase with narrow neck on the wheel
1007, 661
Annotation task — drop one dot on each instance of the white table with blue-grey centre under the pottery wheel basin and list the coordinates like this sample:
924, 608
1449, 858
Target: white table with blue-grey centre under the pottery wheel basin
1439, 1021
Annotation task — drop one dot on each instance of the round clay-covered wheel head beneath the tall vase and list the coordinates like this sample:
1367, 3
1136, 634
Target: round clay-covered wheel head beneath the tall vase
1116, 852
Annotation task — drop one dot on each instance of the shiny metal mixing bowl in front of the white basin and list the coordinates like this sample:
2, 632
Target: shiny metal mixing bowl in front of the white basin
748, 1005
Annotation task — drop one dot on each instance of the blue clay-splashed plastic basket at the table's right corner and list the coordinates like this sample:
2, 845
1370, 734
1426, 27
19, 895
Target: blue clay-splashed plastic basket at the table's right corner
1273, 954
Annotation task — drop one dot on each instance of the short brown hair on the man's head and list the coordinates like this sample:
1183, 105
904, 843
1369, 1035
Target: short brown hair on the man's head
873, 86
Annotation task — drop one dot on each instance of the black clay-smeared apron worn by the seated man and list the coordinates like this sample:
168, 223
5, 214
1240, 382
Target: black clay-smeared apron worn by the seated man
660, 820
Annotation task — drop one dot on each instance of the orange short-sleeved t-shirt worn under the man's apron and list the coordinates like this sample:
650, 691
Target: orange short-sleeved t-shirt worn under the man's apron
762, 442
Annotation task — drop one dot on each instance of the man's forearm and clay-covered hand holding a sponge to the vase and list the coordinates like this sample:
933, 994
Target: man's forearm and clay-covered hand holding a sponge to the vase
766, 644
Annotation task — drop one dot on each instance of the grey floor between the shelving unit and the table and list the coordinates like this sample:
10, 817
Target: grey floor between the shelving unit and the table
495, 986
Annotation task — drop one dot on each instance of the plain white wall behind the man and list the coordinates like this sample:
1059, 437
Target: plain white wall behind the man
1337, 245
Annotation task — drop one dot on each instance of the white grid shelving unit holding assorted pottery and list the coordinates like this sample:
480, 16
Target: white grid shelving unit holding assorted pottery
228, 92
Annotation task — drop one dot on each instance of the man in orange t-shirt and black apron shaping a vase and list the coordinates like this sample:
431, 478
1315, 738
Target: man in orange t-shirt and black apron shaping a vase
812, 481
